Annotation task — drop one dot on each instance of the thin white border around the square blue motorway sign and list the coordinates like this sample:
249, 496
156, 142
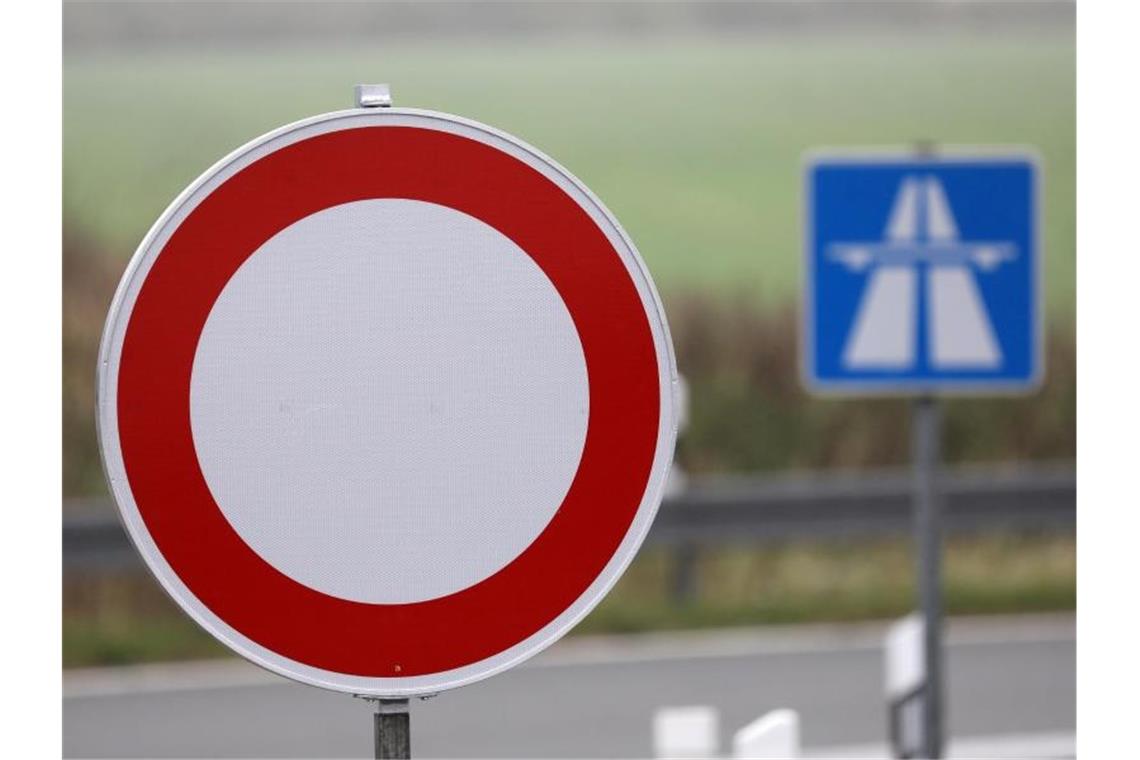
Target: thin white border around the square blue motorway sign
946, 154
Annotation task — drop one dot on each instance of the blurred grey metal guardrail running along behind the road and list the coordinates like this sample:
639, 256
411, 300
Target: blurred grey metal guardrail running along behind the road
750, 510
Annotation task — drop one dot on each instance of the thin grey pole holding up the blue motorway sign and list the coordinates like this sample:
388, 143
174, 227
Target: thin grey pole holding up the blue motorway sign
926, 440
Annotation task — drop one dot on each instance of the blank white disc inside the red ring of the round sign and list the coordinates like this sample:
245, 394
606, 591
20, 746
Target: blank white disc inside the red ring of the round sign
389, 402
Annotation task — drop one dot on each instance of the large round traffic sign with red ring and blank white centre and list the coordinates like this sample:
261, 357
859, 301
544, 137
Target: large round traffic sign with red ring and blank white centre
387, 402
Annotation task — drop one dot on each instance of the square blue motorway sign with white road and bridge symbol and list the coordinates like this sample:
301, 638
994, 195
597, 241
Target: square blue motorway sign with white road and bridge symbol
923, 274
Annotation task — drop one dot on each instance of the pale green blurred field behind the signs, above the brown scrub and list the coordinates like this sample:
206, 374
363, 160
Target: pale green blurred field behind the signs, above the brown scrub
695, 145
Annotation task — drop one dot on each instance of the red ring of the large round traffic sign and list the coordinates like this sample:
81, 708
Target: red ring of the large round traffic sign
154, 424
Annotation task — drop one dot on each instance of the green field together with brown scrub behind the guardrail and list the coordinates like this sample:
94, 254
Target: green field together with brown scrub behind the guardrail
696, 145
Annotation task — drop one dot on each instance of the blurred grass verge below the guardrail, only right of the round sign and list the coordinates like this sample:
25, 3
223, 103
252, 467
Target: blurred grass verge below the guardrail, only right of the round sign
802, 583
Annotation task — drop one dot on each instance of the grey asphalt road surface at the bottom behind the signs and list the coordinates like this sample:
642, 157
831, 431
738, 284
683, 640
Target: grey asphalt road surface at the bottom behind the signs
589, 697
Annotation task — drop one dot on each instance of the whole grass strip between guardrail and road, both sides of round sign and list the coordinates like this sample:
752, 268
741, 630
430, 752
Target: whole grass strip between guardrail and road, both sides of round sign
115, 620
